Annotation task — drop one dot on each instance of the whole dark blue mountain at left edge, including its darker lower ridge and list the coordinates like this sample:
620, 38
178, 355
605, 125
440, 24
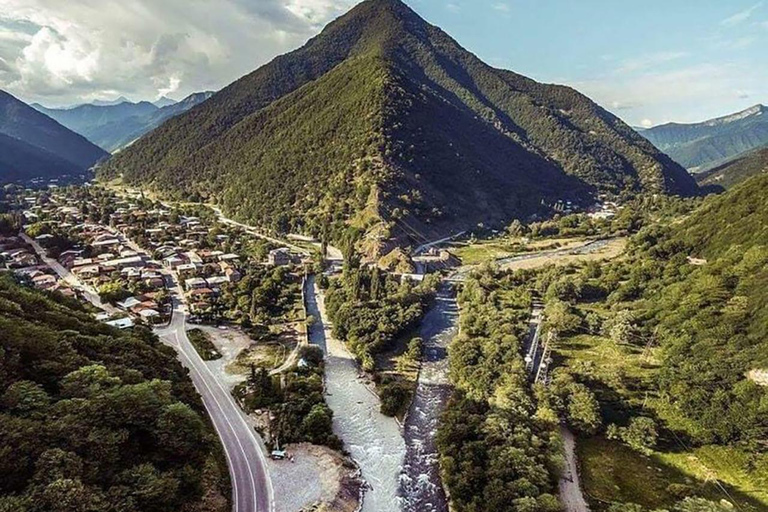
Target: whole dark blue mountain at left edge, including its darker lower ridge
34, 145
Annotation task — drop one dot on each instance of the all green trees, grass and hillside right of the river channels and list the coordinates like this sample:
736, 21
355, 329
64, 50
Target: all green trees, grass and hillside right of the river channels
653, 362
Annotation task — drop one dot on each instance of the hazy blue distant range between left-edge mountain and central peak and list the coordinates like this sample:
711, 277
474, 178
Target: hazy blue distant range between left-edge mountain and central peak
114, 125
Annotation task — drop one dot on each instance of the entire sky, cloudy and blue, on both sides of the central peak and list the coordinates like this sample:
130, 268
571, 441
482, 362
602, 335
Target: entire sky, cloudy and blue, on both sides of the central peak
649, 62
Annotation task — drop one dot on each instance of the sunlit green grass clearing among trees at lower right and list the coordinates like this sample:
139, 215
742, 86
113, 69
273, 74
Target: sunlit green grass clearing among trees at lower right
621, 377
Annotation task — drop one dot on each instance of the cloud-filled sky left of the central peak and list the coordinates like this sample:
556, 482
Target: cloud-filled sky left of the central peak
60, 52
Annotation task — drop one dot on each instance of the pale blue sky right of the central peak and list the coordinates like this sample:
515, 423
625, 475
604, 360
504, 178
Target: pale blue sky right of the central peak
648, 61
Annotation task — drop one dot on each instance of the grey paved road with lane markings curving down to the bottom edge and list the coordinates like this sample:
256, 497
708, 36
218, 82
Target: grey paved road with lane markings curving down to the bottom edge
251, 487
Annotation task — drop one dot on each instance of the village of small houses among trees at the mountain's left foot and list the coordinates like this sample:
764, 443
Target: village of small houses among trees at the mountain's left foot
118, 254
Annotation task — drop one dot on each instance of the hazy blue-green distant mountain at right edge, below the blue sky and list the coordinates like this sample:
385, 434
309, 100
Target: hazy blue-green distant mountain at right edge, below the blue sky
702, 146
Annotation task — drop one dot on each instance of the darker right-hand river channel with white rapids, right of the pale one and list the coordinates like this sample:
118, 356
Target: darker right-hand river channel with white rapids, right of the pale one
420, 483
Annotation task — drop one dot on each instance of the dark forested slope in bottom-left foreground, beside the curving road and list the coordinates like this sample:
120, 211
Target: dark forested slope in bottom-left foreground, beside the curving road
94, 419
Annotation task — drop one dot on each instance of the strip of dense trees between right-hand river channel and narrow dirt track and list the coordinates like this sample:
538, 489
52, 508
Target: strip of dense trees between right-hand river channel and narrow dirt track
498, 443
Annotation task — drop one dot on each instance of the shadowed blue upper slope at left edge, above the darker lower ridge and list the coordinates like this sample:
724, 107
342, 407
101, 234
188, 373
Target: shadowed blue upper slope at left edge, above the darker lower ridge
20, 121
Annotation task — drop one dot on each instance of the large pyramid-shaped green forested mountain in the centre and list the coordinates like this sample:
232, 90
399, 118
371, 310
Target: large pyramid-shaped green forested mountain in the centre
386, 121
